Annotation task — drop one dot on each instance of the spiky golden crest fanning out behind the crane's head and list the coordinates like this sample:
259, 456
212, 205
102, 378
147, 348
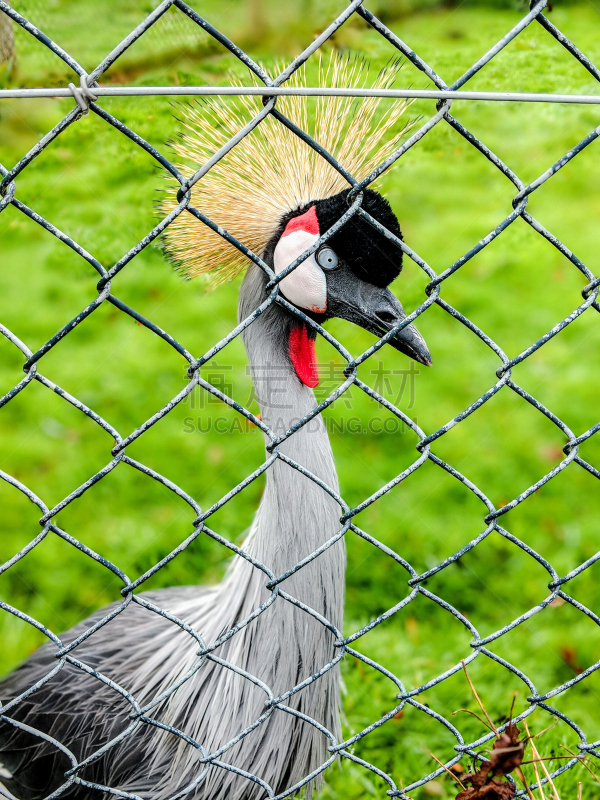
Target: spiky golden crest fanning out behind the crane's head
272, 171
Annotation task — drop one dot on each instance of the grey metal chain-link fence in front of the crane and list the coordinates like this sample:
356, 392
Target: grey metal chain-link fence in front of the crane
86, 94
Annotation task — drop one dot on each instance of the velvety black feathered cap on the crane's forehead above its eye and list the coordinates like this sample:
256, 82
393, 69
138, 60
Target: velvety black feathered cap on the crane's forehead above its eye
369, 254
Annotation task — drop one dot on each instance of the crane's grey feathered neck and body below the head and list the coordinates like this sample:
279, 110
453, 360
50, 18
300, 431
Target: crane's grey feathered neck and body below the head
145, 654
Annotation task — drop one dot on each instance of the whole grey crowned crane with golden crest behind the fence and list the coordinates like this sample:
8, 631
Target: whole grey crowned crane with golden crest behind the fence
277, 196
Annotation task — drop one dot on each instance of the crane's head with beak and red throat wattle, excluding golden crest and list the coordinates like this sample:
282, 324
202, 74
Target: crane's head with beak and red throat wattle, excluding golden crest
347, 277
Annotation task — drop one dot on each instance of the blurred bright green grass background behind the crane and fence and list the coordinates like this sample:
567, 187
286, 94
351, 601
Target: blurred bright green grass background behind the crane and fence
97, 186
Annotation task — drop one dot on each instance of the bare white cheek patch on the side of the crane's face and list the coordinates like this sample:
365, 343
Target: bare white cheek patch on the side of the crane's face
305, 286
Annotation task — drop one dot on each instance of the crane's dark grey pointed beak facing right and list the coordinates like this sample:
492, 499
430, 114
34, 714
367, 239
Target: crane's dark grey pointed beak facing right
376, 310
